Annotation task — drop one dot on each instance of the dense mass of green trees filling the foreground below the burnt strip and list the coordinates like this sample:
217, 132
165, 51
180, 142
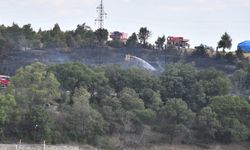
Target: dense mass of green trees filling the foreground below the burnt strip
74, 103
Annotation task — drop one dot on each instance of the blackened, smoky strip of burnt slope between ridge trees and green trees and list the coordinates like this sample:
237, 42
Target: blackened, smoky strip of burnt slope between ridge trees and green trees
104, 56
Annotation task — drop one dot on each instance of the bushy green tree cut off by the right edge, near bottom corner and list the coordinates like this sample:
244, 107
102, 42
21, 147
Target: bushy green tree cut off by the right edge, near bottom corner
233, 114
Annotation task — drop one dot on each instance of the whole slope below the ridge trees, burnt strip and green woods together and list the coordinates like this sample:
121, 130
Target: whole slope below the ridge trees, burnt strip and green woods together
93, 96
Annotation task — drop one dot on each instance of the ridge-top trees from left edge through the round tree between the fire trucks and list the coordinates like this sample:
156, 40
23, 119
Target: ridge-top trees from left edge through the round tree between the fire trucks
24, 38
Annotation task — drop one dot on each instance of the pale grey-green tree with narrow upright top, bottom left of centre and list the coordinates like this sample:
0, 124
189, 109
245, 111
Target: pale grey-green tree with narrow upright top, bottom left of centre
83, 123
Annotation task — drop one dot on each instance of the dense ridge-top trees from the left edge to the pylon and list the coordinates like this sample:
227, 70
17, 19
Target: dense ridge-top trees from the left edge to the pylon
15, 37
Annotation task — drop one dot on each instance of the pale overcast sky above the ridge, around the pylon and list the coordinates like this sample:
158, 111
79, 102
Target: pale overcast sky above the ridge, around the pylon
201, 21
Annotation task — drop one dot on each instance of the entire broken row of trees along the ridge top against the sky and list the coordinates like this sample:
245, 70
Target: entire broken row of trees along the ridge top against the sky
25, 38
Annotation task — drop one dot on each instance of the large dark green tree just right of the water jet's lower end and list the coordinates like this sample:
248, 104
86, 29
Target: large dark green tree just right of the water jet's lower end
180, 81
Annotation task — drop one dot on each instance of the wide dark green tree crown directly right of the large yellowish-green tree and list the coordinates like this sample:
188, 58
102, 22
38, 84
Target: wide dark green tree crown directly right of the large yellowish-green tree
76, 75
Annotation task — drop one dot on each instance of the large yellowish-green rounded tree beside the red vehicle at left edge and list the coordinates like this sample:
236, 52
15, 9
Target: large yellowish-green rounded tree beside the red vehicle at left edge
34, 85
